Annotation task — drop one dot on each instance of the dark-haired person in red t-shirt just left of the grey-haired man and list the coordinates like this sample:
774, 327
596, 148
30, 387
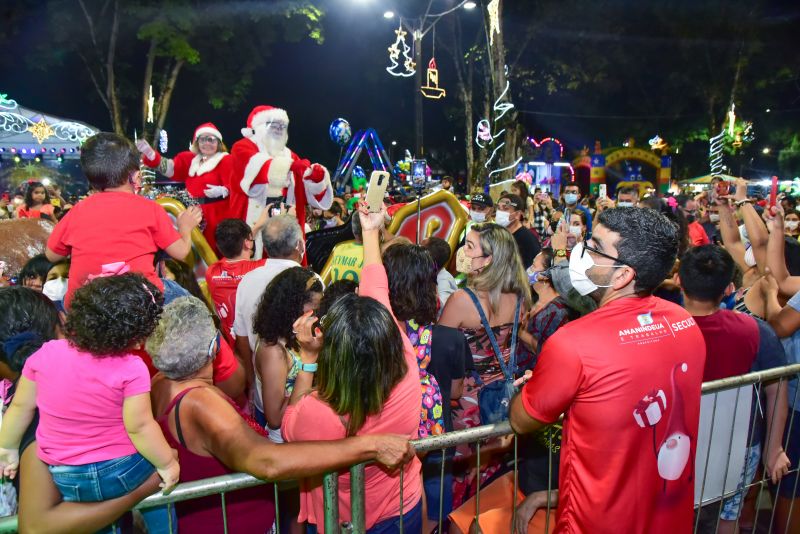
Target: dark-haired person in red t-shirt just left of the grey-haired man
235, 242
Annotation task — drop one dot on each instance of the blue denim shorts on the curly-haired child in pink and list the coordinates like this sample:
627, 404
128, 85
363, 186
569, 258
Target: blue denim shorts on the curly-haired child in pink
101, 481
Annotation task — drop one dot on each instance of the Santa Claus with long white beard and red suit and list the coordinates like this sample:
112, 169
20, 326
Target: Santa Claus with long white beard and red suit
267, 172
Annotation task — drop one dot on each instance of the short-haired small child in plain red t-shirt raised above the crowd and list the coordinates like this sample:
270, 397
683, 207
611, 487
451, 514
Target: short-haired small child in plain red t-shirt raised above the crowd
114, 230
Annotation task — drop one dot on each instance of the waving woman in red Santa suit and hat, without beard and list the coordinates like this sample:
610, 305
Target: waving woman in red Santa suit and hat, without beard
206, 170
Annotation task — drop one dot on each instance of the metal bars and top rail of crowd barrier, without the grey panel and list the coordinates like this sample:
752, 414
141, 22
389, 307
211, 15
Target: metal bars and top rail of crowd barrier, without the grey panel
222, 485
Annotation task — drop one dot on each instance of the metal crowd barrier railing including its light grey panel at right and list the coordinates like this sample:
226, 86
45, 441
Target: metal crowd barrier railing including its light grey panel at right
733, 405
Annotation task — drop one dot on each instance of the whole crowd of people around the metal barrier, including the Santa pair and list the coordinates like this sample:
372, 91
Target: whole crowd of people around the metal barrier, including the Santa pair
128, 376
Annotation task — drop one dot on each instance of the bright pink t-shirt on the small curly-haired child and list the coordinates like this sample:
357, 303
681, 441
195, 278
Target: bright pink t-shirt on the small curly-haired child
80, 402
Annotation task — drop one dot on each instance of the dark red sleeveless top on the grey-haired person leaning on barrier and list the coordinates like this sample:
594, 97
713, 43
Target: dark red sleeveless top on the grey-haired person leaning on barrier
249, 510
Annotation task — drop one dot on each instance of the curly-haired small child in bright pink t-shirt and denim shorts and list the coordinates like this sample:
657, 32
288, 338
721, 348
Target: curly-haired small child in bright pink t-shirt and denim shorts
96, 429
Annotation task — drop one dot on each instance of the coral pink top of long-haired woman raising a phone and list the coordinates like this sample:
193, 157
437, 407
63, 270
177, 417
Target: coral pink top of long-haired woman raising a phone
312, 419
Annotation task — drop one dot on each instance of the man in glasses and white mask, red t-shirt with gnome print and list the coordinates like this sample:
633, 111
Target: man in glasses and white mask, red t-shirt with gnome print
627, 378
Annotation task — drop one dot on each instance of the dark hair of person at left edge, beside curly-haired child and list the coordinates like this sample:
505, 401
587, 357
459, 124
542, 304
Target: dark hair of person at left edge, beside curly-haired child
28, 320
